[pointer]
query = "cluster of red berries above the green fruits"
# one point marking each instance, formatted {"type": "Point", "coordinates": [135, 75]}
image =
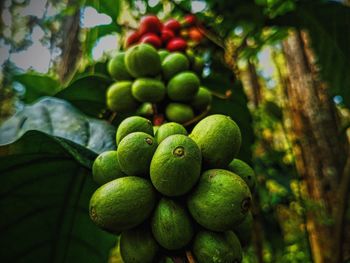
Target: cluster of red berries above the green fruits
{"type": "Point", "coordinates": [171, 35]}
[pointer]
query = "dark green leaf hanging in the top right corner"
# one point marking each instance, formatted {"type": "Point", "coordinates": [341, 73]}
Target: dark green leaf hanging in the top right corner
{"type": "Point", "coordinates": [328, 24]}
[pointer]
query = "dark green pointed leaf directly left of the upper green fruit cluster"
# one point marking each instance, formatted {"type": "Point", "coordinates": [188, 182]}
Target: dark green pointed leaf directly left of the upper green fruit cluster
{"type": "Point", "coordinates": [87, 93]}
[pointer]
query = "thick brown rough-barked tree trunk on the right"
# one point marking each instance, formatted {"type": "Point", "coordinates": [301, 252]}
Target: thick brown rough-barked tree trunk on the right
{"type": "Point", "coordinates": [319, 149]}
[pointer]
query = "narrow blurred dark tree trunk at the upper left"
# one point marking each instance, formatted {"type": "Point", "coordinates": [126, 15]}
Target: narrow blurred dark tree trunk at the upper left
{"type": "Point", "coordinates": [70, 44]}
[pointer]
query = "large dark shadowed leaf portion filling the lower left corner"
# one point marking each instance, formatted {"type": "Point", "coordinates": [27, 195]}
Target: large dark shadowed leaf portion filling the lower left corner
{"type": "Point", "coordinates": [45, 194]}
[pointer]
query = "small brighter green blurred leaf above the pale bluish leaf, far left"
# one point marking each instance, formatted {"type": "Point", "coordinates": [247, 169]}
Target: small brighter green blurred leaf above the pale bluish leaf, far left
{"type": "Point", "coordinates": [37, 86]}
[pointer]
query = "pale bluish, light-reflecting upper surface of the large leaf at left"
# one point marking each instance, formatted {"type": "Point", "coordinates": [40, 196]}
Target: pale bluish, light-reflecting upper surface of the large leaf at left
{"type": "Point", "coordinates": [59, 118]}
